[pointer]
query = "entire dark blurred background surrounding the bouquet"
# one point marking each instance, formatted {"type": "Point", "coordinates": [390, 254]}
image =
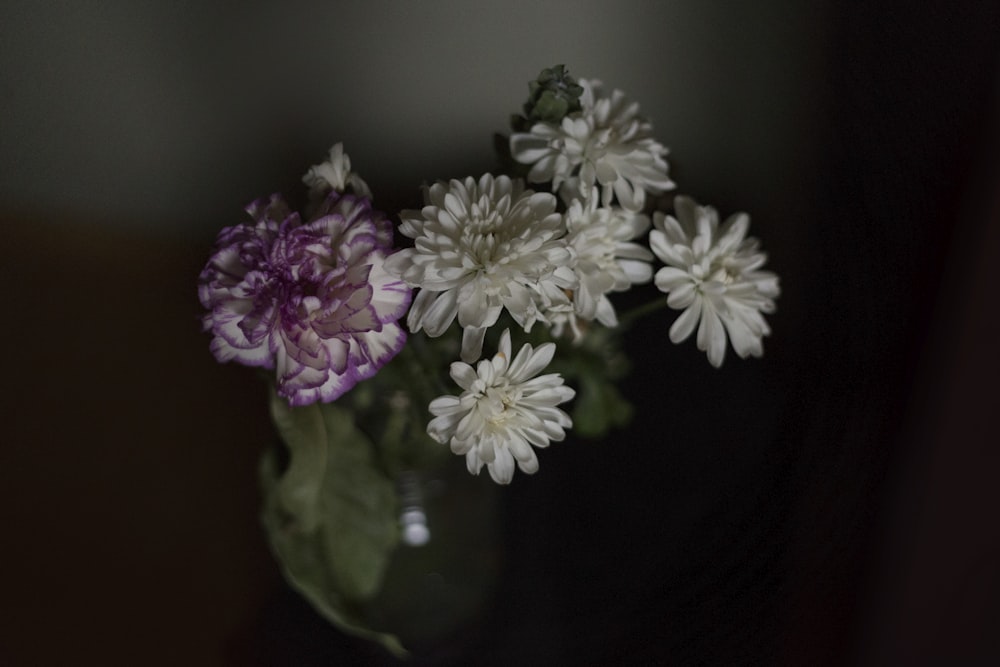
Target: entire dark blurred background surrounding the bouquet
{"type": "Point", "coordinates": [832, 503]}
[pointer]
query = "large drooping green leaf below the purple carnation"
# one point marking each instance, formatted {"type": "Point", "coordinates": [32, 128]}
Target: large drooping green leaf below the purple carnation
{"type": "Point", "coordinates": [331, 517]}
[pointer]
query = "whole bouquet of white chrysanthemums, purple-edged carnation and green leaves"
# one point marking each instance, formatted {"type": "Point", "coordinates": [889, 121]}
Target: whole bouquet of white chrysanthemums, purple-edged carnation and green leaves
{"type": "Point", "coordinates": [510, 338]}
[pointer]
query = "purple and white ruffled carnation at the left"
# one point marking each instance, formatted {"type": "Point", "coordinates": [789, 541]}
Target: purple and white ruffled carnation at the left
{"type": "Point", "coordinates": [311, 300]}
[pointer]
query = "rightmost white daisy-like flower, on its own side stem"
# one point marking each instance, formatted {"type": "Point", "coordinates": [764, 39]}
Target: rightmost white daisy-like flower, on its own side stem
{"type": "Point", "coordinates": [714, 275]}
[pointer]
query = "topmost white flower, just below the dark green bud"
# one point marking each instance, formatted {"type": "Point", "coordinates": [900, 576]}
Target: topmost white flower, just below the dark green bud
{"type": "Point", "coordinates": [607, 142]}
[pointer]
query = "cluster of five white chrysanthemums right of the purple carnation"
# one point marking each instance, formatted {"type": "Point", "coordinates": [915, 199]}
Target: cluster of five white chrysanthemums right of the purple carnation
{"type": "Point", "coordinates": [485, 246]}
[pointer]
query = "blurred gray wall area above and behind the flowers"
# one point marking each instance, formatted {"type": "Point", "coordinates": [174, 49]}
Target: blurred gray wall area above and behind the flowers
{"type": "Point", "coordinates": [167, 117]}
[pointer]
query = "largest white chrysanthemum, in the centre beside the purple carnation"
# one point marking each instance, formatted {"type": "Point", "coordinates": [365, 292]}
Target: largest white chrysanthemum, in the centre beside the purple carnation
{"type": "Point", "coordinates": [481, 247]}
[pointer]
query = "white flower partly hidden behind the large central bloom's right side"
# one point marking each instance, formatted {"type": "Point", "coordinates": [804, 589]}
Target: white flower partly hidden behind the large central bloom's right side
{"type": "Point", "coordinates": [607, 259]}
